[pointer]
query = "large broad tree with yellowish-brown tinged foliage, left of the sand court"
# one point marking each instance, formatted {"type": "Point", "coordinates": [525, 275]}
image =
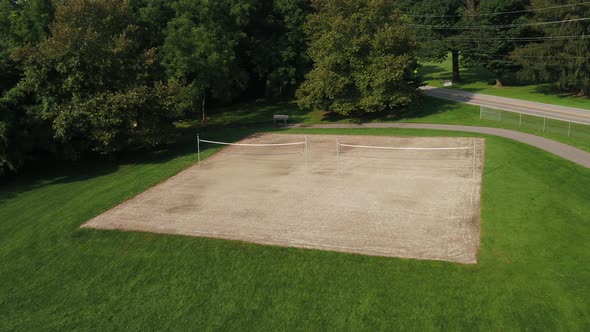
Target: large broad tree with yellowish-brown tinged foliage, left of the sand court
{"type": "Point", "coordinates": [93, 80]}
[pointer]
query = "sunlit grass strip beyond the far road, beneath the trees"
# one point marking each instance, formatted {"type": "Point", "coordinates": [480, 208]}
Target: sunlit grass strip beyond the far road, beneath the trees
{"type": "Point", "coordinates": [482, 81]}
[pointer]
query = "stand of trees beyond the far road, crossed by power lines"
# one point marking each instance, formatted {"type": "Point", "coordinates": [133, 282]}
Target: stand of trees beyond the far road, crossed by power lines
{"type": "Point", "coordinates": [541, 40]}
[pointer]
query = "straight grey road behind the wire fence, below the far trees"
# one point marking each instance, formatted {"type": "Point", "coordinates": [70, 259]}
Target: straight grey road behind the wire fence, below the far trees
{"type": "Point", "coordinates": [510, 104]}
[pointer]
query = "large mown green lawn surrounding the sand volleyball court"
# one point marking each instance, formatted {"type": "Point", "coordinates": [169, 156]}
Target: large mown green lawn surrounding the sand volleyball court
{"type": "Point", "coordinates": [532, 273]}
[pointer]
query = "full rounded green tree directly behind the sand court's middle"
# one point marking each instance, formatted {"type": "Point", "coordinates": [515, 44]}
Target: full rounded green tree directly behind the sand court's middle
{"type": "Point", "coordinates": [363, 58]}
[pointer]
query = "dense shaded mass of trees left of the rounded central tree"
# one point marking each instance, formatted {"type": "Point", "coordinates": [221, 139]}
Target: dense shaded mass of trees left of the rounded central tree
{"type": "Point", "coordinates": [83, 76]}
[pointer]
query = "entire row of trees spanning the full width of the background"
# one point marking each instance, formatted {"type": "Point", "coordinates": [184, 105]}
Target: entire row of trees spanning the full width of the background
{"type": "Point", "coordinates": [104, 76]}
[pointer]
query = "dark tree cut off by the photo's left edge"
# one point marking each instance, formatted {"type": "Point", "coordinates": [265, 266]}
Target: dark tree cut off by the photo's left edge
{"type": "Point", "coordinates": [21, 23]}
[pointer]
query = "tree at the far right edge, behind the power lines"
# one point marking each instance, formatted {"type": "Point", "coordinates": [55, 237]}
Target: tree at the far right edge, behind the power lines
{"type": "Point", "coordinates": [556, 58]}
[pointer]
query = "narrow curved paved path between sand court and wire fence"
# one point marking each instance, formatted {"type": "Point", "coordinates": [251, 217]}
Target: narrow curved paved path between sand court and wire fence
{"type": "Point", "coordinates": [576, 155]}
